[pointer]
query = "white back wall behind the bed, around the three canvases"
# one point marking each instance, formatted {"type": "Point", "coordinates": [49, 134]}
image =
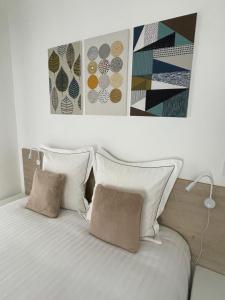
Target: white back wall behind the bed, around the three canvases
{"type": "Point", "coordinates": [199, 139]}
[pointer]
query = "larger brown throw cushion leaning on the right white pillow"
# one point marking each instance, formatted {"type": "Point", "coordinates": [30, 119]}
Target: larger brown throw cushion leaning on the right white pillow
{"type": "Point", "coordinates": [116, 217]}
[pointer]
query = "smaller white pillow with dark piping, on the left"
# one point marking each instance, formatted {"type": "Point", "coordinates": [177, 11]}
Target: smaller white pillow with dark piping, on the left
{"type": "Point", "coordinates": [76, 165]}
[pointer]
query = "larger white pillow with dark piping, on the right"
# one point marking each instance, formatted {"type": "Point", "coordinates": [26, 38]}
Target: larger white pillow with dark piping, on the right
{"type": "Point", "coordinates": [154, 180]}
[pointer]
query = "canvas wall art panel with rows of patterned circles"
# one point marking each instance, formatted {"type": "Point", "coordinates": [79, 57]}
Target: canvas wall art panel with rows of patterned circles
{"type": "Point", "coordinates": [106, 62]}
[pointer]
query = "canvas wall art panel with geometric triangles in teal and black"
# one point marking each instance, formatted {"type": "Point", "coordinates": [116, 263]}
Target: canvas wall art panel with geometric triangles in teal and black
{"type": "Point", "coordinates": [161, 69]}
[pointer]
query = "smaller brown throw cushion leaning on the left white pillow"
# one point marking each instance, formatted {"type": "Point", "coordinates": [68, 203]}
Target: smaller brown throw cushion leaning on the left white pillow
{"type": "Point", "coordinates": [46, 194]}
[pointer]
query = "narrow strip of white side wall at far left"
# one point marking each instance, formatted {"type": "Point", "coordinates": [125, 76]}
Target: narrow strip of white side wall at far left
{"type": "Point", "coordinates": [9, 168]}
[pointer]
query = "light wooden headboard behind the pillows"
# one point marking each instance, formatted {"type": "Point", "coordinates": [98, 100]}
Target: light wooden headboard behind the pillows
{"type": "Point", "coordinates": [184, 213]}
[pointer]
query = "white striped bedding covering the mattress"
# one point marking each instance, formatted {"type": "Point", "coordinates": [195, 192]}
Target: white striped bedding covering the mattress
{"type": "Point", "coordinates": [42, 258]}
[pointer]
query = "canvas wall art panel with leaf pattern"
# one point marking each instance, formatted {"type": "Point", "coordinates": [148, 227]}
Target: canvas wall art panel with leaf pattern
{"type": "Point", "coordinates": [65, 84]}
